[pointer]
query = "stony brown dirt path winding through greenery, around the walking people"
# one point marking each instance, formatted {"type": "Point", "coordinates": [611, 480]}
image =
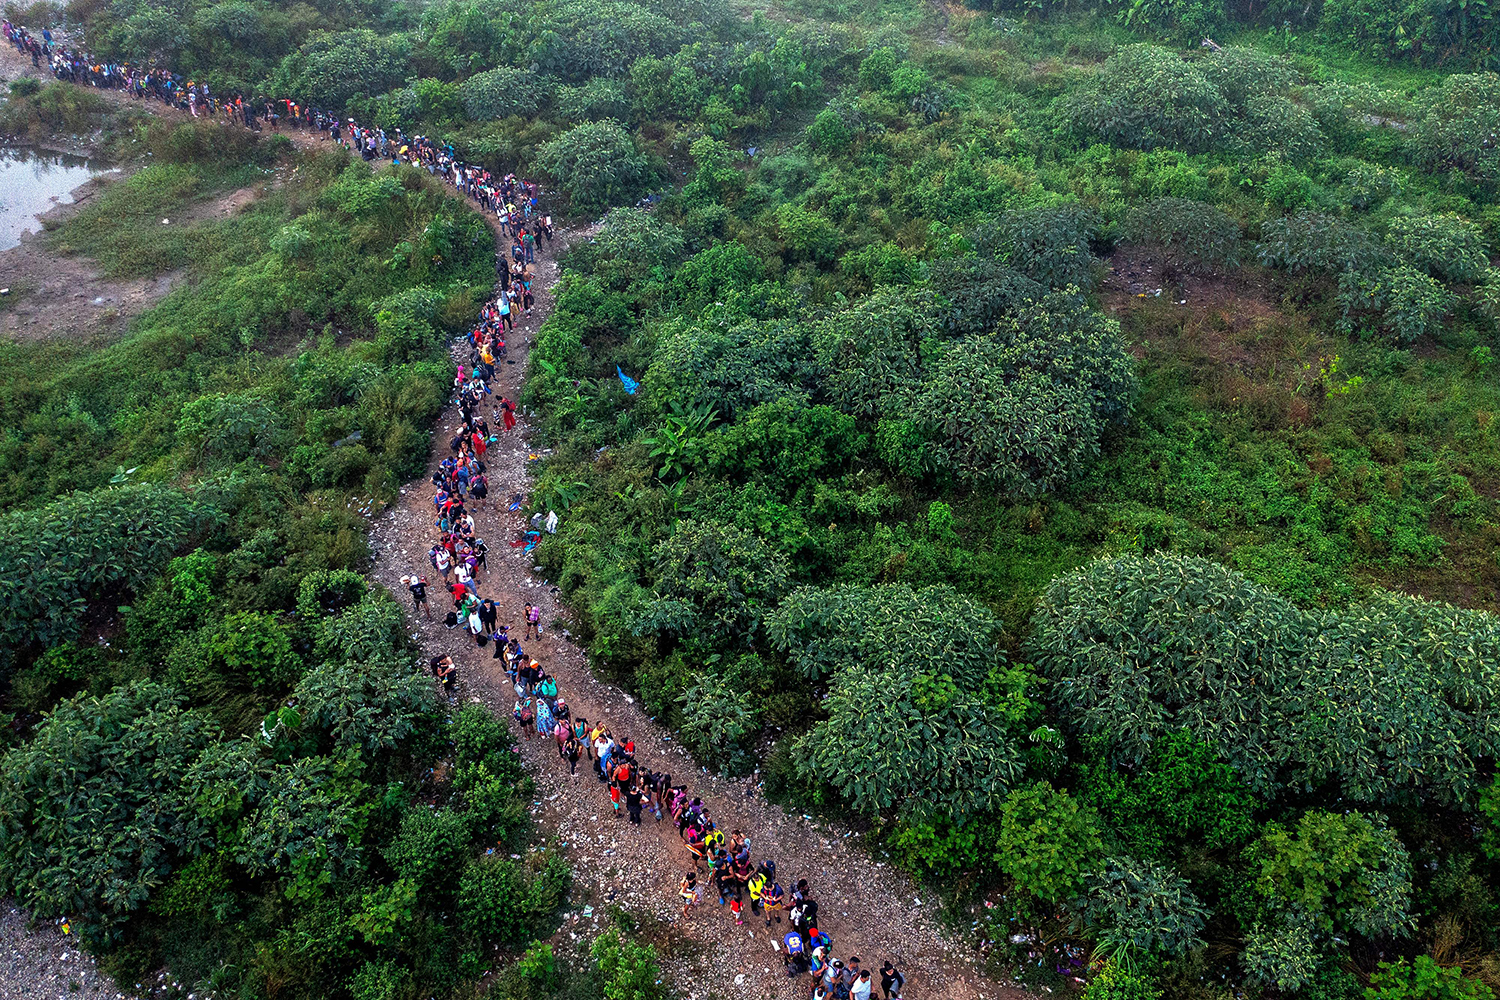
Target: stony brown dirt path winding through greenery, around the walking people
{"type": "Point", "coordinates": [866, 906]}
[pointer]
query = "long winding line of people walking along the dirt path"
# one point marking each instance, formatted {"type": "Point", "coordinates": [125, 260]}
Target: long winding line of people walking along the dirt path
{"type": "Point", "coordinates": [722, 864]}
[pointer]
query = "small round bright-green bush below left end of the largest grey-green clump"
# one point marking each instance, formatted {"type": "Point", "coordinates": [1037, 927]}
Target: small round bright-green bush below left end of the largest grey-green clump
{"type": "Point", "coordinates": [1046, 842]}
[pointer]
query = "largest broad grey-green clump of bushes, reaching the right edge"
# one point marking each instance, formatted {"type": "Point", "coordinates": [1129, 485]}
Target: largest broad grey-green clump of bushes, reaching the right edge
{"type": "Point", "coordinates": [1139, 648]}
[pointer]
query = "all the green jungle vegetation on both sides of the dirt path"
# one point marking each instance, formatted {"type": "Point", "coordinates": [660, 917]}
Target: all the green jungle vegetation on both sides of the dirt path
{"type": "Point", "coordinates": [1163, 623]}
